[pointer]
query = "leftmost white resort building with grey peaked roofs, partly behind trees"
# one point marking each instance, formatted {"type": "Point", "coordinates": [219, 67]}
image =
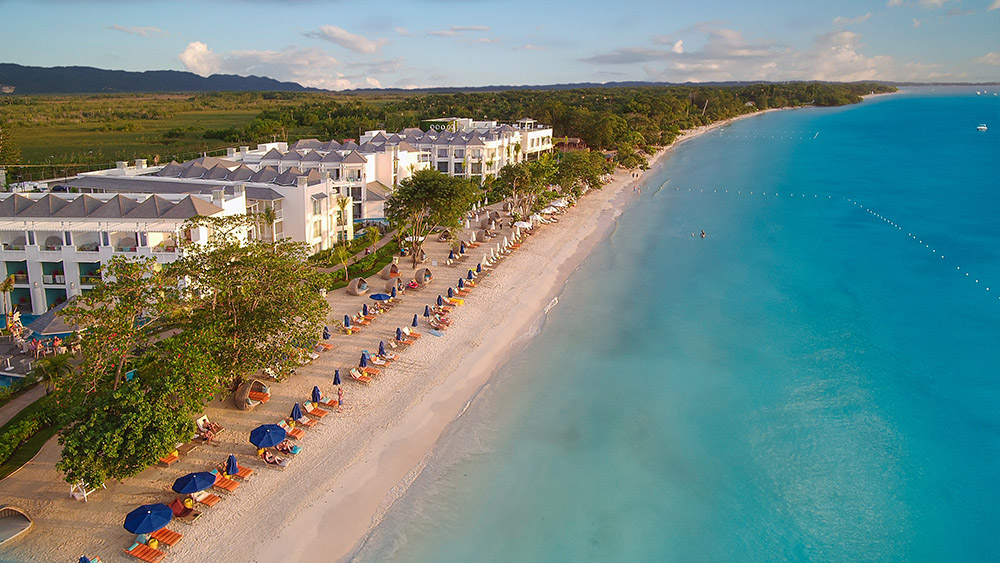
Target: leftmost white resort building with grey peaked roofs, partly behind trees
{"type": "Point", "coordinates": [54, 243]}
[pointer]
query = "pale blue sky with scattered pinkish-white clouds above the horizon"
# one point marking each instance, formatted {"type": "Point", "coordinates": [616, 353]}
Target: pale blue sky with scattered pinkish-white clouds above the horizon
{"type": "Point", "coordinates": [344, 44]}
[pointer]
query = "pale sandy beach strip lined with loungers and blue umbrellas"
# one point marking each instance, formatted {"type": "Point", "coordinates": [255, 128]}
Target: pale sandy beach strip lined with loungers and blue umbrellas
{"type": "Point", "coordinates": [363, 456]}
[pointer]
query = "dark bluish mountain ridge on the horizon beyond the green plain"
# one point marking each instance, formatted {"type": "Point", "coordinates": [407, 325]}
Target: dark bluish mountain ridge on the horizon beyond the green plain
{"type": "Point", "coordinates": [89, 80]}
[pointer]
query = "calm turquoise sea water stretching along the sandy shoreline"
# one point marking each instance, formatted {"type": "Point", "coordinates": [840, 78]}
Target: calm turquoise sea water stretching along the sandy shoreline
{"type": "Point", "coordinates": [814, 380]}
